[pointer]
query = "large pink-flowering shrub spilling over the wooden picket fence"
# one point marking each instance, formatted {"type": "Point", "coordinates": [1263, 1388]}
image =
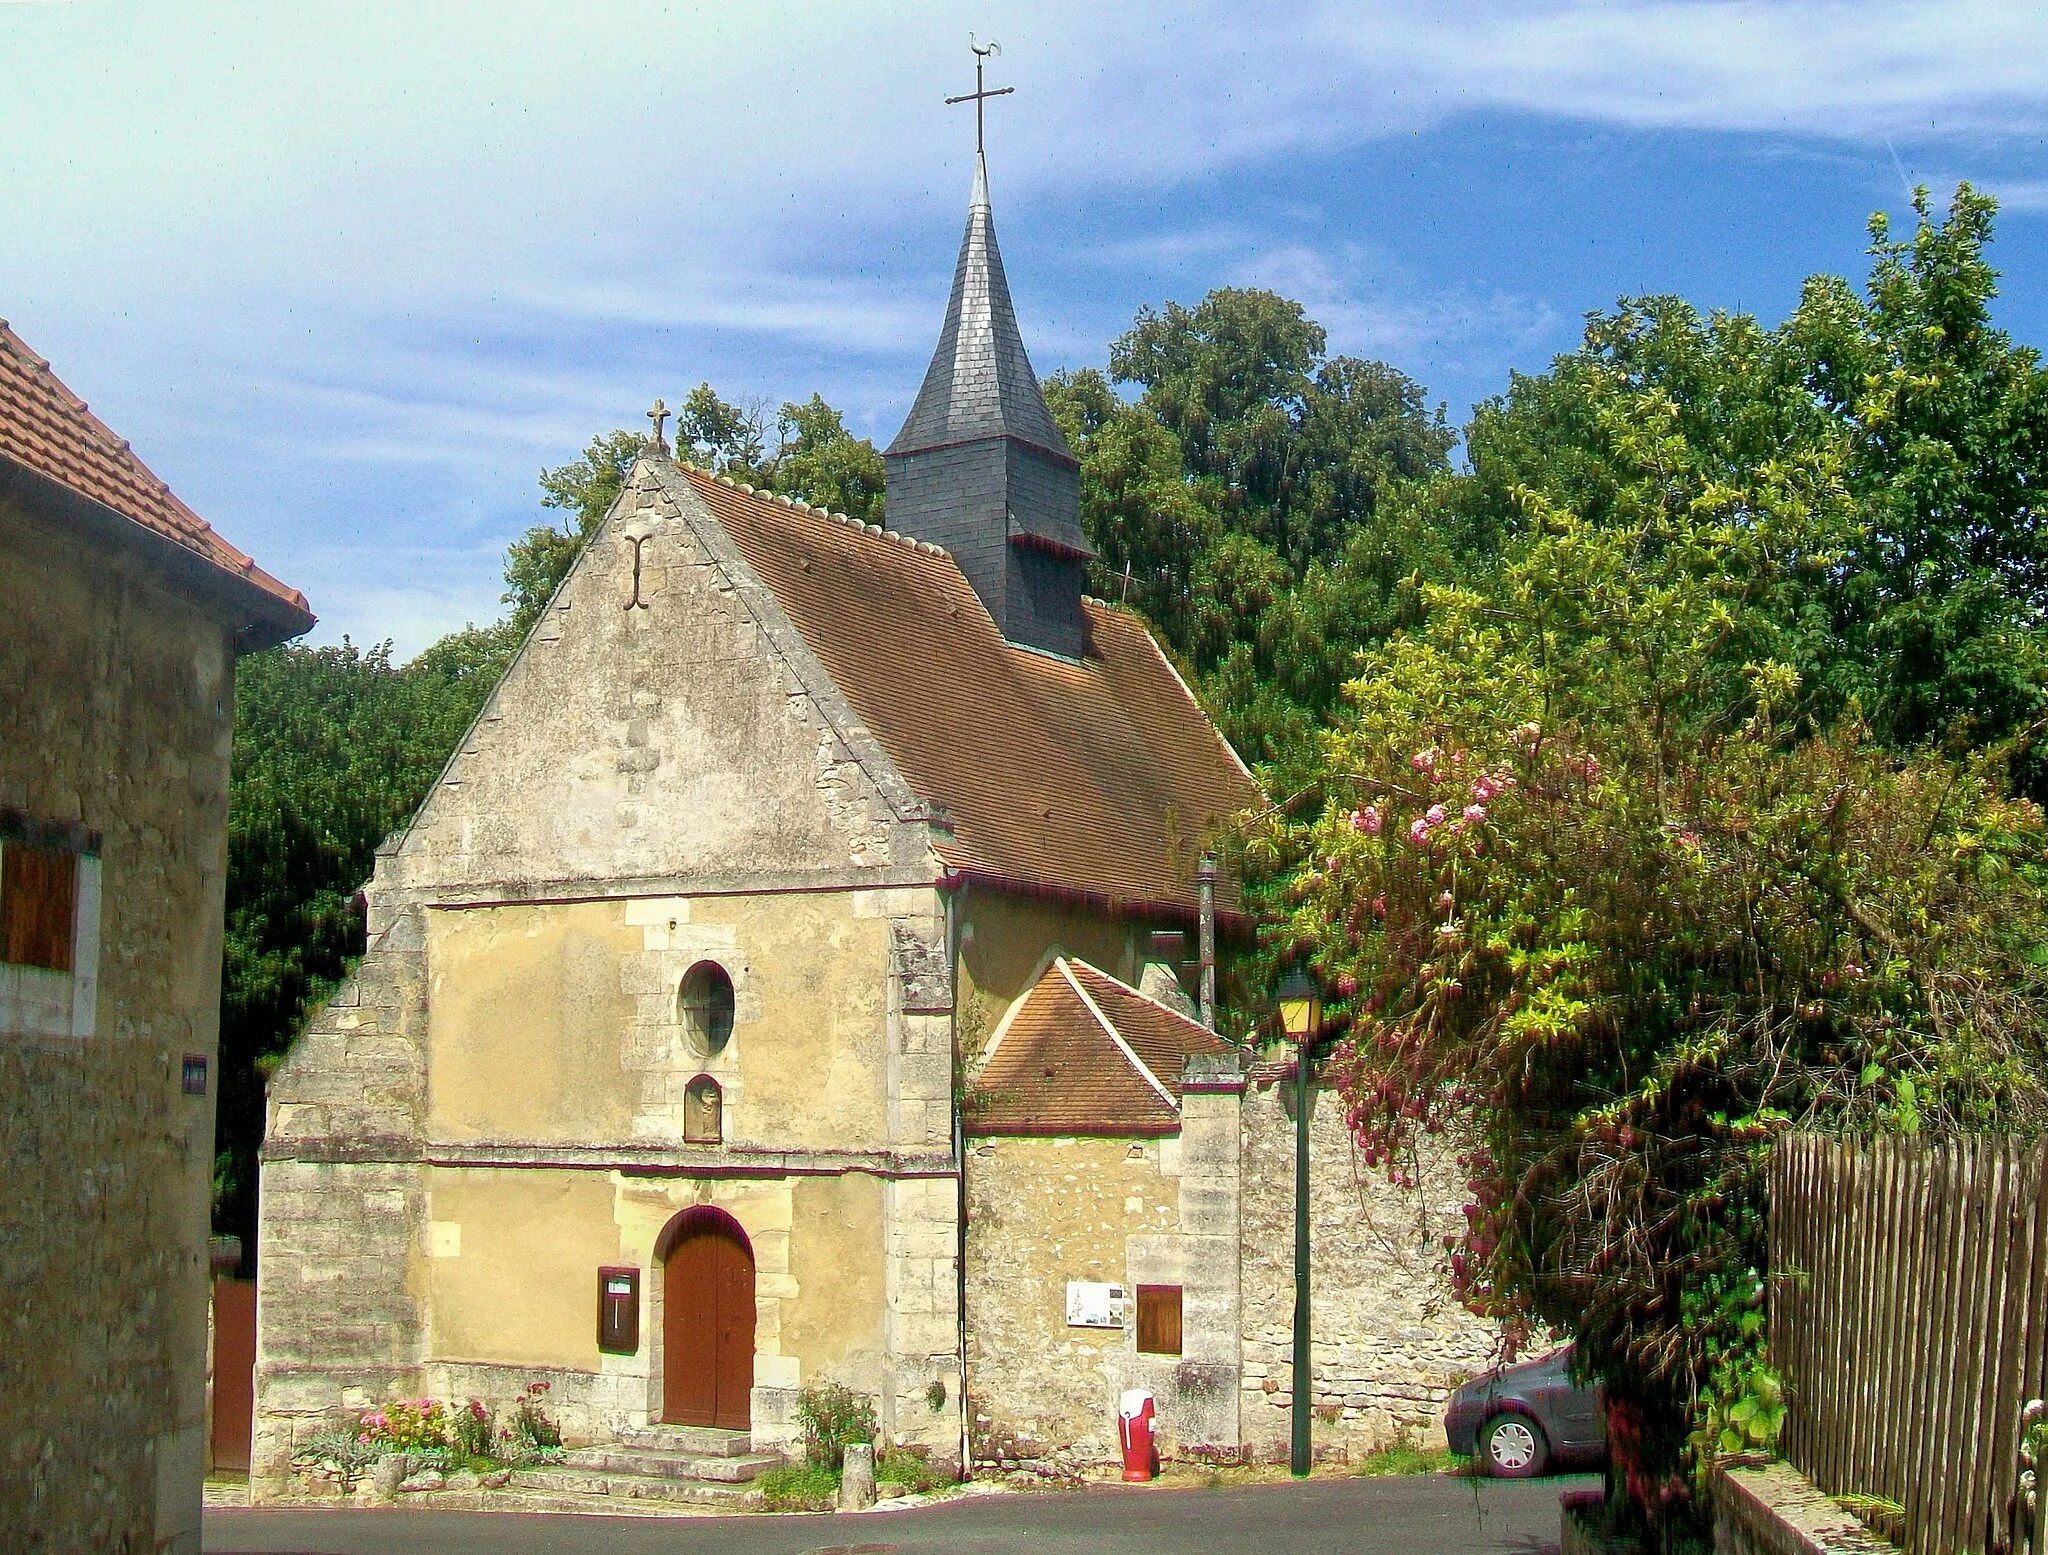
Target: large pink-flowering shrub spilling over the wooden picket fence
{"type": "Point", "coordinates": [1619, 919]}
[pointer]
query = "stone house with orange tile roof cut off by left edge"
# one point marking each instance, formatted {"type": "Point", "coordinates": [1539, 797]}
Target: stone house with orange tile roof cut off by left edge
{"type": "Point", "coordinates": [118, 661]}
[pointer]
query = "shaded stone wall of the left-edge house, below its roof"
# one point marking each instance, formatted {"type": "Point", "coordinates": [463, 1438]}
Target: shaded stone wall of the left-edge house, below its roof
{"type": "Point", "coordinates": [116, 718]}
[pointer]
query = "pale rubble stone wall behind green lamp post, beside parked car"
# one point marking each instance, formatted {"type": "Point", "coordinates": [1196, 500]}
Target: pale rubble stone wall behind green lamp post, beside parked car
{"type": "Point", "coordinates": [1390, 1343]}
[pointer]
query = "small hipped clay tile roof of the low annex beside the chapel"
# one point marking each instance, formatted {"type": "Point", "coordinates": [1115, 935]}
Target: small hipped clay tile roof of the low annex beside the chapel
{"type": "Point", "coordinates": [1084, 1054]}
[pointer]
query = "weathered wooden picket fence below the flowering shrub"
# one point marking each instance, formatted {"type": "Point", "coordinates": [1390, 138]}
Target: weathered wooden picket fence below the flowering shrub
{"type": "Point", "coordinates": [1910, 1320]}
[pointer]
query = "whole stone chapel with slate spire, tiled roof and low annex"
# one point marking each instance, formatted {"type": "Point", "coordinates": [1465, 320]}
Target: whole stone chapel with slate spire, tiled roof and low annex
{"type": "Point", "coordinates": [771, 993]}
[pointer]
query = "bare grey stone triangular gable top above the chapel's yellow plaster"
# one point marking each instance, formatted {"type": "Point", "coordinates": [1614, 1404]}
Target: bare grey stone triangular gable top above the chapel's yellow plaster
{"type": "Point", "coordinates": [663, 743]}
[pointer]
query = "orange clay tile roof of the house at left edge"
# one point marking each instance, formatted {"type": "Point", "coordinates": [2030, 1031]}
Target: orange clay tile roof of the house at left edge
{"type": "Point", "coordinates": [48, 431]}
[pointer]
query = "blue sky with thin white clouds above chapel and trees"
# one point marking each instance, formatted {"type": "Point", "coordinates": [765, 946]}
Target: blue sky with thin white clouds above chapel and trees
{"type": "Point", "coordinates": [351, 276]}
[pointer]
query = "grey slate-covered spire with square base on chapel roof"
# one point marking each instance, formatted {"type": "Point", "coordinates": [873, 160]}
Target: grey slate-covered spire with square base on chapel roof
{"type": "Point", "coordinates": [980, 464]}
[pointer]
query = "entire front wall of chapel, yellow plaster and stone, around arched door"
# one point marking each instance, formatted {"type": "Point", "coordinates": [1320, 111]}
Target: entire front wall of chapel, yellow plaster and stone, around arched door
{"type": "Point", "coordinates": [499, 1095]}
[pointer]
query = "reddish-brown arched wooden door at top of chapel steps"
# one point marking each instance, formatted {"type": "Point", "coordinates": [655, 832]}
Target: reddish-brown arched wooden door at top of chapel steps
{"type": "Point", "coordinates": [708, 1322]}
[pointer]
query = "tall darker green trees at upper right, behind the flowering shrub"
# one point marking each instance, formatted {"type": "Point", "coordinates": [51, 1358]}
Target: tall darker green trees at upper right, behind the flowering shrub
{"type": "Point", "coordinates": [1928, 610]}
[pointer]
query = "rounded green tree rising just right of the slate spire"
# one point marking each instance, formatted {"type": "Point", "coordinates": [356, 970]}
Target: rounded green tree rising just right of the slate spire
{"type": "Point", "coordinates": [1256, 501]}
